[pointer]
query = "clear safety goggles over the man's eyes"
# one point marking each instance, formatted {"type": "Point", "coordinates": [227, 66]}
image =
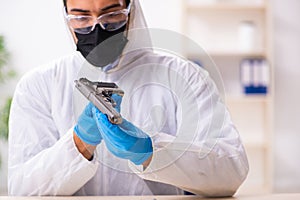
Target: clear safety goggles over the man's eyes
{"type": "Point", "coordinates": [109, 21]}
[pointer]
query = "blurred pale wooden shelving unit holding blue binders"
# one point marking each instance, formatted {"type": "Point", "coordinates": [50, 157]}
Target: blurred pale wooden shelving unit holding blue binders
{"type": "Point", "coordinates": [216, 26]}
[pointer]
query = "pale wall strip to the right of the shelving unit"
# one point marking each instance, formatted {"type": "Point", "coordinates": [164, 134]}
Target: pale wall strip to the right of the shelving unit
{"type": "Point", "coordinates": [287, 97]}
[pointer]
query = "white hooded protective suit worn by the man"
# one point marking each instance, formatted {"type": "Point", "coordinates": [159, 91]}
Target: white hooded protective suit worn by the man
{"type": "Point", "coordinates": [196, 146]}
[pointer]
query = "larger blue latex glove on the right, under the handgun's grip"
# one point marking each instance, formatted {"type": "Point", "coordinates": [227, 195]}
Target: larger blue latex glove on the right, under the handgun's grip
{"type": "Point", "coordinates": [124, 140]}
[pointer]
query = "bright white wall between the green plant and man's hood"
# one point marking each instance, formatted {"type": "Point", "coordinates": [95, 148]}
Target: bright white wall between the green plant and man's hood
{"type": "Point", "coordinates": [34, 32]}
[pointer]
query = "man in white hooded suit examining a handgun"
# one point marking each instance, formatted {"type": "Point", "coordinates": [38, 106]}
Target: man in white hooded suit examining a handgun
{"type": "Point", "coordinates": [176, 133]}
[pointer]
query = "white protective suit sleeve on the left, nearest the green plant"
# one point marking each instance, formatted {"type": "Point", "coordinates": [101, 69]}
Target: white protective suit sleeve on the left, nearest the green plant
{"type": "Point", "coordinates": [41, 161]}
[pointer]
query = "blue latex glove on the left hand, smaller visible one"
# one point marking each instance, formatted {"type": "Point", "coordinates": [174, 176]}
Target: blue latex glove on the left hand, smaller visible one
{"type": "Point", "coordinates": [86, 128]}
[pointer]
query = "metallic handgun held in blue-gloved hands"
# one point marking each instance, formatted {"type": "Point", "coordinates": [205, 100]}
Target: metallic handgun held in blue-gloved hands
{"type": "Point", "coordinates": [99, 93]}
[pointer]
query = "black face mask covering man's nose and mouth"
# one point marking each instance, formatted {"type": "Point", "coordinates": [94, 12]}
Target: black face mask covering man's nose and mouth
{"type": "Point", "coordinates": [101, 47]}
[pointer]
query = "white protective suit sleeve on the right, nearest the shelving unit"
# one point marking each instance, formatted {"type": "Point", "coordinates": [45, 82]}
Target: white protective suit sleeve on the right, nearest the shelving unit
{"type": "Point", "coordinates": [205, 156]}
